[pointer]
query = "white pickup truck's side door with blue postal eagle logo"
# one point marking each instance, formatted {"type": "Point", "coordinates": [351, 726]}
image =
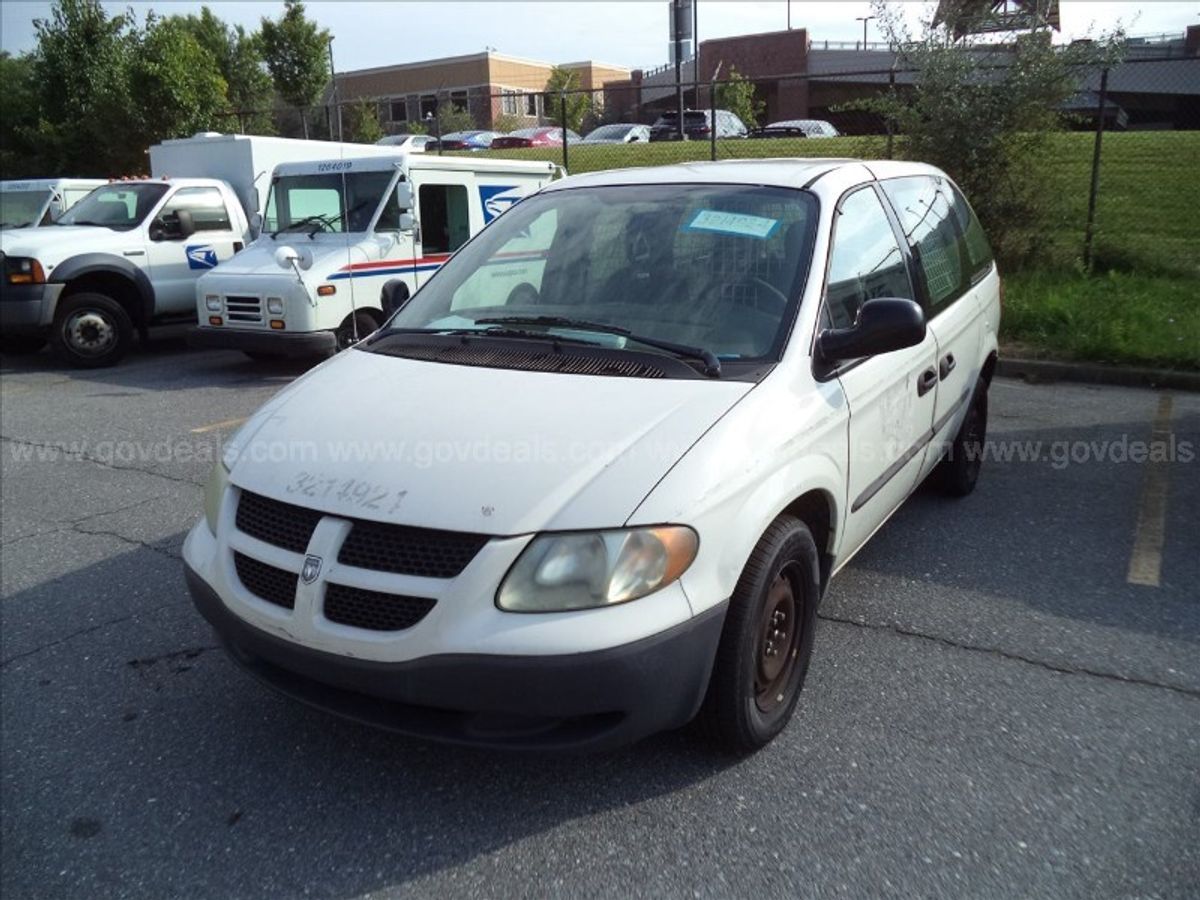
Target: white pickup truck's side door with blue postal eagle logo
{"type": "Point", "coordinates": [177, 260]}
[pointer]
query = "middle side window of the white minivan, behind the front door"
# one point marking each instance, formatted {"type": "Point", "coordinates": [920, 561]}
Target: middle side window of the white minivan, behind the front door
{"type": "Point", "coordinates": [923, 206]}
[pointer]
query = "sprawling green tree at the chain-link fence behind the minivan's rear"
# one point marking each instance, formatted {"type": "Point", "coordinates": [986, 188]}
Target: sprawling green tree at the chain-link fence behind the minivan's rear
{"type": "Point", "coordinates": [989, 128]}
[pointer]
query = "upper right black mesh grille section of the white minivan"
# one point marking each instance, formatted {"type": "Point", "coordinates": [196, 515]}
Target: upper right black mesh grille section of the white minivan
{"type": "Point", "coordinates": [424, 553]}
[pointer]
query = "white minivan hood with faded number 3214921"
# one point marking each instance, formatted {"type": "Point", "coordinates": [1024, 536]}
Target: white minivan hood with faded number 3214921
{"type": "Point", "coordinates": [472, 449]}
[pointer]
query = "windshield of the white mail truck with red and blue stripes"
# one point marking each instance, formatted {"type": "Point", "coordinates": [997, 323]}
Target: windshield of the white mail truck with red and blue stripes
{"type": "Point", "coordinates": [327, 202]}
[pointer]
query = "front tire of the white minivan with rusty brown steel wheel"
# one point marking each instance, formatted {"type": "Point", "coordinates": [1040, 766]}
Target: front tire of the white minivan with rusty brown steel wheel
{"type": "Point", "coordinates": [759, 671]}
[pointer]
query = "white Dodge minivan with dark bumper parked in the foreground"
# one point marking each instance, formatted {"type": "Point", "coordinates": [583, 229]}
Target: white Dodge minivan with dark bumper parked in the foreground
{"type": "Point", "coordinates": [596, 476]}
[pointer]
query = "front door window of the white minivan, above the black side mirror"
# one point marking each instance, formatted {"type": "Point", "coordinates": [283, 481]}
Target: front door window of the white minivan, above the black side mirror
{"type": "Point", "coordinates": [866, 261]}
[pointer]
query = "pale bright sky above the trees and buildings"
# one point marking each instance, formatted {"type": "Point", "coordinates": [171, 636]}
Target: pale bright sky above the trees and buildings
{"type": "Point", "coordinates": [627, 33]}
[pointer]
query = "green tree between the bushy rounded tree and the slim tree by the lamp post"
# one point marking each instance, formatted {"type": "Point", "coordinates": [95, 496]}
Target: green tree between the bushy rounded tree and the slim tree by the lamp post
{"type": "Point", "coordinates": [250, 93]}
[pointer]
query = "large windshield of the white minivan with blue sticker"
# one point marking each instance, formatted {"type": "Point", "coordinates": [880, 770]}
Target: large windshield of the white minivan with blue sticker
{"type": "Point", "coordinates": [713, 267]}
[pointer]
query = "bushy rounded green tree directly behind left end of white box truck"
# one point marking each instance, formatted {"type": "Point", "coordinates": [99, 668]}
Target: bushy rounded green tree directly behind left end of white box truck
{"type": "Point", "coordinates": [177, 88]}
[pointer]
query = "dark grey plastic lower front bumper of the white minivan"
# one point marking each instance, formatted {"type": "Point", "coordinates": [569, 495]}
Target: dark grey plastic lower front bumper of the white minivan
{"type": "Point", "coordinates": [579, 703]}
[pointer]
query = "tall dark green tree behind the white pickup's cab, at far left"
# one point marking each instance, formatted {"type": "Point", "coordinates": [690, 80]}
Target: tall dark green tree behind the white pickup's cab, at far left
{"type": "Point", "coordinates": [81, 73]}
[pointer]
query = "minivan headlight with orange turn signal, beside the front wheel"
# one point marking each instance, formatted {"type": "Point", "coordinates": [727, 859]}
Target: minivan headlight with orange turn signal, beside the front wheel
{"type": "Point", "coordinates": [585, 571]}
